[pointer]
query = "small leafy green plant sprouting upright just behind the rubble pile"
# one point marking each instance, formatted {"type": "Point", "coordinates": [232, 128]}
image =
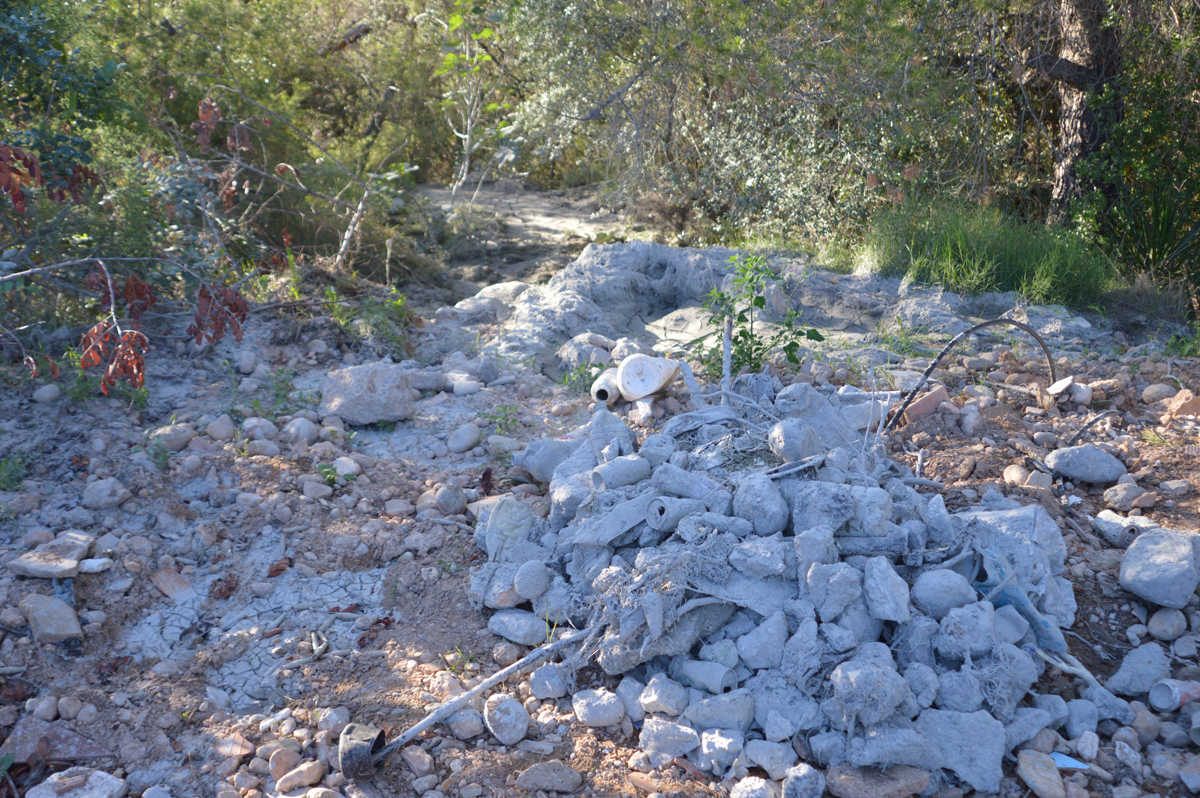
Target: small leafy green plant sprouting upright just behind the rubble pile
{"type": "Point", "coordinates": [742, 305]}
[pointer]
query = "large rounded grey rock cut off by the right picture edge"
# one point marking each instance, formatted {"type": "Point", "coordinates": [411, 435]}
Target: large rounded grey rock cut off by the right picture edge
{"type": "Point", "coordinates": [1161, 567]}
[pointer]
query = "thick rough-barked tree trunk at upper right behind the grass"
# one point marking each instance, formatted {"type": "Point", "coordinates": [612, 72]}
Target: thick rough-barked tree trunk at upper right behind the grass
{"type": "Point", "coordinates": [1089, 58]}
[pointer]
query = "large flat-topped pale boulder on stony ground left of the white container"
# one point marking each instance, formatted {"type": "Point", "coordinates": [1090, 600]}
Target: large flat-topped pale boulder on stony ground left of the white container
{"type": "Point", "coordinates": [369, 394]}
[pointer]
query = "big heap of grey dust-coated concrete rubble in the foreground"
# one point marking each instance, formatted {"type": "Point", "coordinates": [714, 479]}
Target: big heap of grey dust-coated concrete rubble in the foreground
{"type": "Point", "coordinates": [770, 585]}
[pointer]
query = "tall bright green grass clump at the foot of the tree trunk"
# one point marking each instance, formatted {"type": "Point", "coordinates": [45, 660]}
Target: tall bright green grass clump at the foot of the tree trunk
{"type": "Point", "coordinates": [975, 249]}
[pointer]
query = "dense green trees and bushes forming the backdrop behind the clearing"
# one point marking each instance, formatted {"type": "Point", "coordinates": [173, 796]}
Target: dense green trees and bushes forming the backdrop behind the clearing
{"type": "Point", "coordinates": [219, 131]}
